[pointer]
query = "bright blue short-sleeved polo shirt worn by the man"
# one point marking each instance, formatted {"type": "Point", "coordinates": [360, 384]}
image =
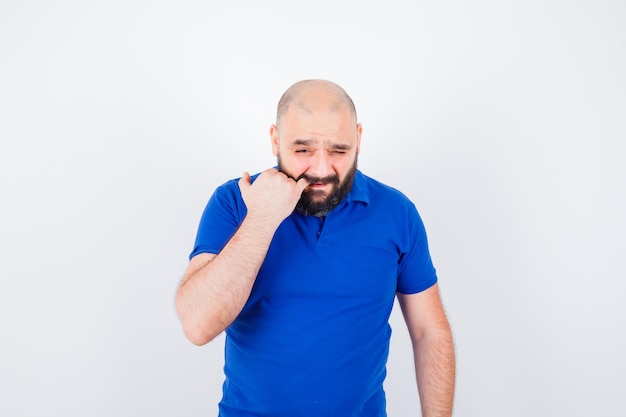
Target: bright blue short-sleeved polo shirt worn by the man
{"type": "Point", "coordinates": [313, 338]}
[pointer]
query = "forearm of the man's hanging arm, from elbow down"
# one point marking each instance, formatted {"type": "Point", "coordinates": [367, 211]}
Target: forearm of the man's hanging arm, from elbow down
{"type": "Point", "coordinates": [435, 369]}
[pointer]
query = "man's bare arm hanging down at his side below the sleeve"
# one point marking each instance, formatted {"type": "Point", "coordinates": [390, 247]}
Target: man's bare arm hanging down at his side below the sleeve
{"type": "Point", "coordinates": [433, 350]}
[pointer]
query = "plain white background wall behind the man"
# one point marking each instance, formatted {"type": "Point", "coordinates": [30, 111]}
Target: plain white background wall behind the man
{"type": "Point", "coordinates": [505, 122]}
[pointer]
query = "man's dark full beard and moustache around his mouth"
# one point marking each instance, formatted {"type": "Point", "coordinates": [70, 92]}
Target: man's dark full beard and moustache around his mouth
{"type": "Point", "coordinates": [318, 203]}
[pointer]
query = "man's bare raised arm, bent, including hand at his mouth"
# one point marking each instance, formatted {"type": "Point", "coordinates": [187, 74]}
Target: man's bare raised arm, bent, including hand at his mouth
{"type": "Point", "coordinates": [216, 287]}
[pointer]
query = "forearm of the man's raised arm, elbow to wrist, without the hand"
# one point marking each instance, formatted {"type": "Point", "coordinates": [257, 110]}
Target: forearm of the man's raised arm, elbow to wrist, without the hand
{"type": "Point", "coordinates": [211, 297]}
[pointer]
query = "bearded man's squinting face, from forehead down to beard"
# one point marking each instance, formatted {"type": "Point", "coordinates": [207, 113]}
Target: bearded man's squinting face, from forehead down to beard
{"type": "Point", "coordinates": [321, 146]}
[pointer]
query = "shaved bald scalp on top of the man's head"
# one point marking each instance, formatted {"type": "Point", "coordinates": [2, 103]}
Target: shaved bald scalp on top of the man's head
{"type": "Point", "coordinates": [313, 96]}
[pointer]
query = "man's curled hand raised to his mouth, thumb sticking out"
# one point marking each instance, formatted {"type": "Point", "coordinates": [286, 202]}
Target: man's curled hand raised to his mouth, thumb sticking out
{"type": "Point", "coordinates": [273, 195]}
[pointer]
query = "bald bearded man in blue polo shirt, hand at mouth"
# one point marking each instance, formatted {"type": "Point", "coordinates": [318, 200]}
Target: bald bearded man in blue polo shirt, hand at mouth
{"type": "Point", "coordinates": [300, 266]}
